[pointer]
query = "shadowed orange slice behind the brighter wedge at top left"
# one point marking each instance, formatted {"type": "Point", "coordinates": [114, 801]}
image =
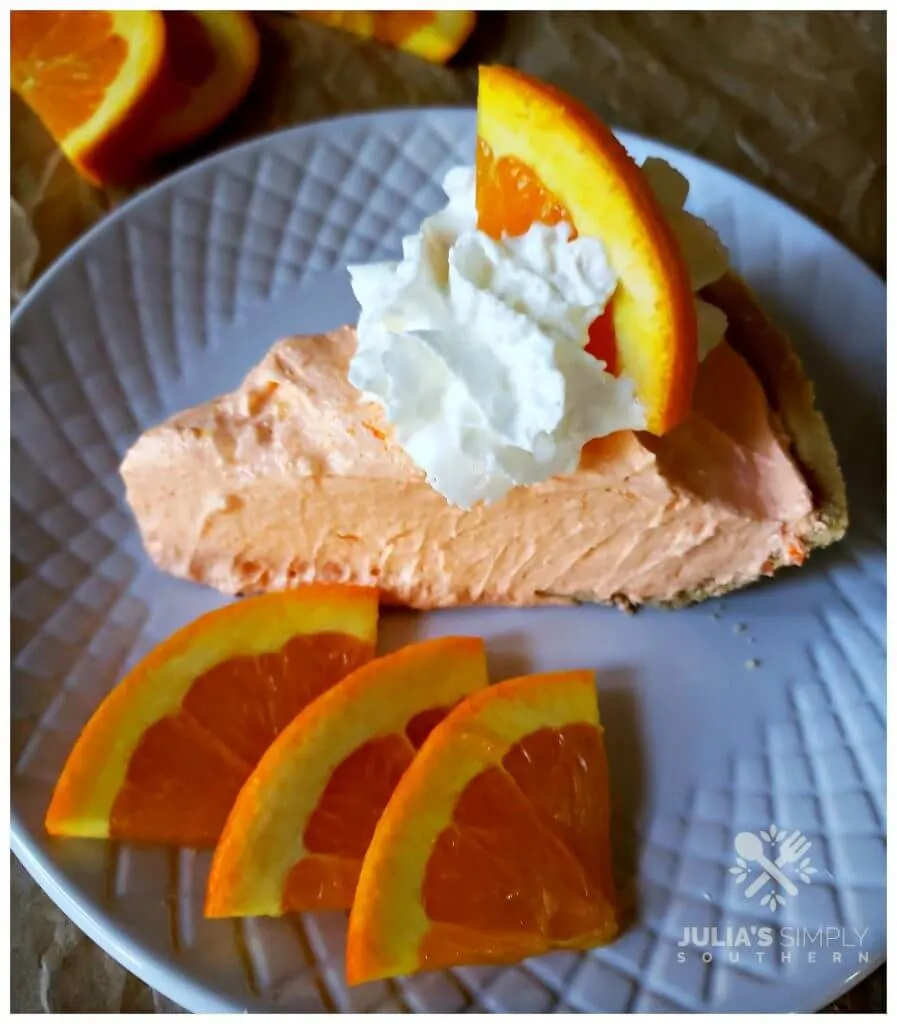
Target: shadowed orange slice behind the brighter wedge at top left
{"type": "Point", "coordinates": [211, 58]}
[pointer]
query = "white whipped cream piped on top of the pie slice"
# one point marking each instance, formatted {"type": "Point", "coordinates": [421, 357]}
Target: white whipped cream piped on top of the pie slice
{"type": "Point", "coordinates": [476, 349]}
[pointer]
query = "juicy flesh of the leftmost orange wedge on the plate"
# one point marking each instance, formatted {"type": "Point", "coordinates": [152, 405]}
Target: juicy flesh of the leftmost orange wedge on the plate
{"type": "Point", "coordinates": [185, 776]}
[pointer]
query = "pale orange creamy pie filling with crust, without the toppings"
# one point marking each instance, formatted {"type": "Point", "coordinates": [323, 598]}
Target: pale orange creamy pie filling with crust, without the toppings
{"type": "Point", "coordinates": [295, 478]}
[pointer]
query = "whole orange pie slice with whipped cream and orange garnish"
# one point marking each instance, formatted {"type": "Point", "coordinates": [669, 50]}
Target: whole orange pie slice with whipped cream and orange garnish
{"type": "Point", "coordinates": [561, 394]}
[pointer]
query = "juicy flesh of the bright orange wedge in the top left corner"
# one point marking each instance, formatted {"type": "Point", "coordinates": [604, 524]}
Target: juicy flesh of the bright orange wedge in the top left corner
{"type": "Point", "coordinates": [63, 63]}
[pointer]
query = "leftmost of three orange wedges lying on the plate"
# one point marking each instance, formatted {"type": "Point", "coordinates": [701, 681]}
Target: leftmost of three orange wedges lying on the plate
{"type": "Point", "coordinates": [165, 755]}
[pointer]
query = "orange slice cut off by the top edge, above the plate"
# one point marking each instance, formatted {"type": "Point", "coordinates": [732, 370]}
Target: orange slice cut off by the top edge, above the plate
{"type": "Point", "coordinates": [435, 35]}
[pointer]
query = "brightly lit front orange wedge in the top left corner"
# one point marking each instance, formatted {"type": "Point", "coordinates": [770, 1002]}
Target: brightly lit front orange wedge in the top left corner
{"type": "Point", "coordinates": [86, 74]}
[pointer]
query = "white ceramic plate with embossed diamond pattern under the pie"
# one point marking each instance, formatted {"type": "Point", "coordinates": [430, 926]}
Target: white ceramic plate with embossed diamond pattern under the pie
{"type": "Point", "coordinates": [767, 709]}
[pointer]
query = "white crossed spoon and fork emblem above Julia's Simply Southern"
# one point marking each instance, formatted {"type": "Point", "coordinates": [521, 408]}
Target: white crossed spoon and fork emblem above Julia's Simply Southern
{"type": "Point", "coordinates": [781, 861]}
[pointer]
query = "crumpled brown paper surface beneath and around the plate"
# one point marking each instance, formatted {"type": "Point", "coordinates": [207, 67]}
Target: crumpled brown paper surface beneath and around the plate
{"type": "Point", "coordinates": [792, 102]}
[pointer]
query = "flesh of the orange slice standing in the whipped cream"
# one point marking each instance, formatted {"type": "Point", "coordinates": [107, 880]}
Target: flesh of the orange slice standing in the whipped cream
{"type": "Point", "coordinates": [510, 198]}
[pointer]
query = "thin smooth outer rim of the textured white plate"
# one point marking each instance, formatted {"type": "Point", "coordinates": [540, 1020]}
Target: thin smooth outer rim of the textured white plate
{"type": "Point", "coordinates": [162, 974]}
